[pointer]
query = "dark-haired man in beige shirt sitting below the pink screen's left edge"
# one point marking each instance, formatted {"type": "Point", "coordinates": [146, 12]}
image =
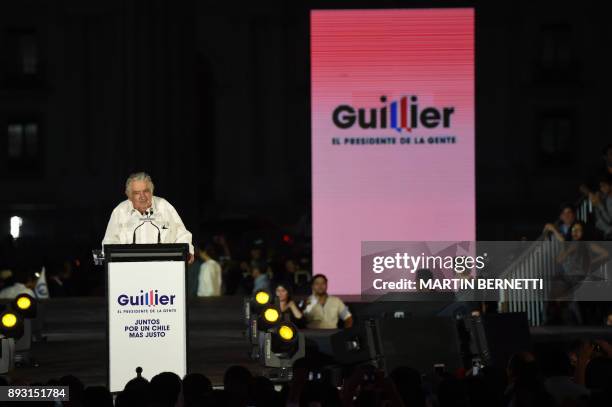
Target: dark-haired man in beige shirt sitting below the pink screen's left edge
{"type": "Point", "coordinates": [324, 311]}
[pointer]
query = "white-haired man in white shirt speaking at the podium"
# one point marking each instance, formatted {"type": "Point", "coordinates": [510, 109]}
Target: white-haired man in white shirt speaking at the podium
{"type": "Point", "coordinates": [144, 218]}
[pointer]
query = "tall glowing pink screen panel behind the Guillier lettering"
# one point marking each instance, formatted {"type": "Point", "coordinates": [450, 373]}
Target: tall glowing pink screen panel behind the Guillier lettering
{"type": "Point", "coordinates": [389, 192]}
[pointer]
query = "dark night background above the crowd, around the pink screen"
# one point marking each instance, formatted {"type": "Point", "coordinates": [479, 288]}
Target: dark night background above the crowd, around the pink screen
{"type": "Point", "coordinates": [213, 100]}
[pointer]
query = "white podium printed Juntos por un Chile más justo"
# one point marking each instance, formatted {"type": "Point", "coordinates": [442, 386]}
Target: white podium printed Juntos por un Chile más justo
{"type": "Point", "coordinates": [147, 310]}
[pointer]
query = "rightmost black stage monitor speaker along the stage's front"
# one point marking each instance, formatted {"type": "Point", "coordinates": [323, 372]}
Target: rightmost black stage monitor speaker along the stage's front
{"type": "Point", "coordinates": [496, 337]}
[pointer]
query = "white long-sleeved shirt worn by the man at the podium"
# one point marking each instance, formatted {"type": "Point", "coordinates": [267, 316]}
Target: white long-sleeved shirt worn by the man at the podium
{"type": "Point", "coordinates": [125, 219]}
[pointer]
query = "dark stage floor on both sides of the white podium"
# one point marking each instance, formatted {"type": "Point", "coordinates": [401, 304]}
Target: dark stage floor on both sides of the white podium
{"type": "Point", "coordinates": [75, 331]}
